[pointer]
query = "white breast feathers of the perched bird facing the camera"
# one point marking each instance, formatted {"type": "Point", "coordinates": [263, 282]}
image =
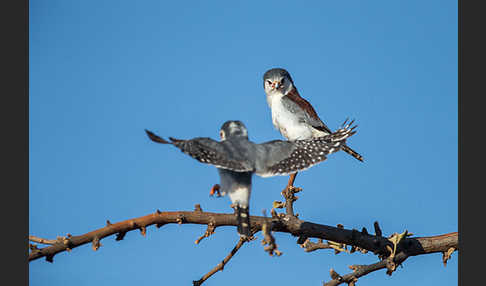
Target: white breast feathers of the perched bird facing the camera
{"type": "Point", "coordinates": [288, 123]}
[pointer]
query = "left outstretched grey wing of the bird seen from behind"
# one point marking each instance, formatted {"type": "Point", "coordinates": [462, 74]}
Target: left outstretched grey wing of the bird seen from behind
{"type": "Point", "coordinates": [208, 151]}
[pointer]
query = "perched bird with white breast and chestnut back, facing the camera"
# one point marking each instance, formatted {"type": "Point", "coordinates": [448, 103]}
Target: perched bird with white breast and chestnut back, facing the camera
{"type": "Point", "coordinates": [293, 116]}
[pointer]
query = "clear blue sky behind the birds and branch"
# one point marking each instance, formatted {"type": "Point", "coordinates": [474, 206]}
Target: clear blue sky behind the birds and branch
{"type": "Point", "coordinates": [102, 71]}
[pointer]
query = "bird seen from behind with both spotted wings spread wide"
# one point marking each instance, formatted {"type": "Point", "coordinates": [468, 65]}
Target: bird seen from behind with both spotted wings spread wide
{"type": "Point", "coordinates": [237, 159]}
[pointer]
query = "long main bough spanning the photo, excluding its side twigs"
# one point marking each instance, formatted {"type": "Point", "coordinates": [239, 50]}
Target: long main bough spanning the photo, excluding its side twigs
{"type": "Point", "coordinates": [284, 223]}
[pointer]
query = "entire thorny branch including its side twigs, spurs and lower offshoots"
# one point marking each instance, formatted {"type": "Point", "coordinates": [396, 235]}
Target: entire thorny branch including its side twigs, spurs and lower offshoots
{"type": "Point", "coordinates": [392, 251]}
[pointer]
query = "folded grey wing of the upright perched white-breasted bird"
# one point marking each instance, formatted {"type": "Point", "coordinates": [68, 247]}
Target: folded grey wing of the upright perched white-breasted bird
{"type": "Point", "coordinates": [309, 117]}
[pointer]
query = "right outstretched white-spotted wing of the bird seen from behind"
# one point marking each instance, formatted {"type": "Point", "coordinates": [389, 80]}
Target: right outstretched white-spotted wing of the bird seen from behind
{"type": "Point", "coordinates": [287, 157]}
